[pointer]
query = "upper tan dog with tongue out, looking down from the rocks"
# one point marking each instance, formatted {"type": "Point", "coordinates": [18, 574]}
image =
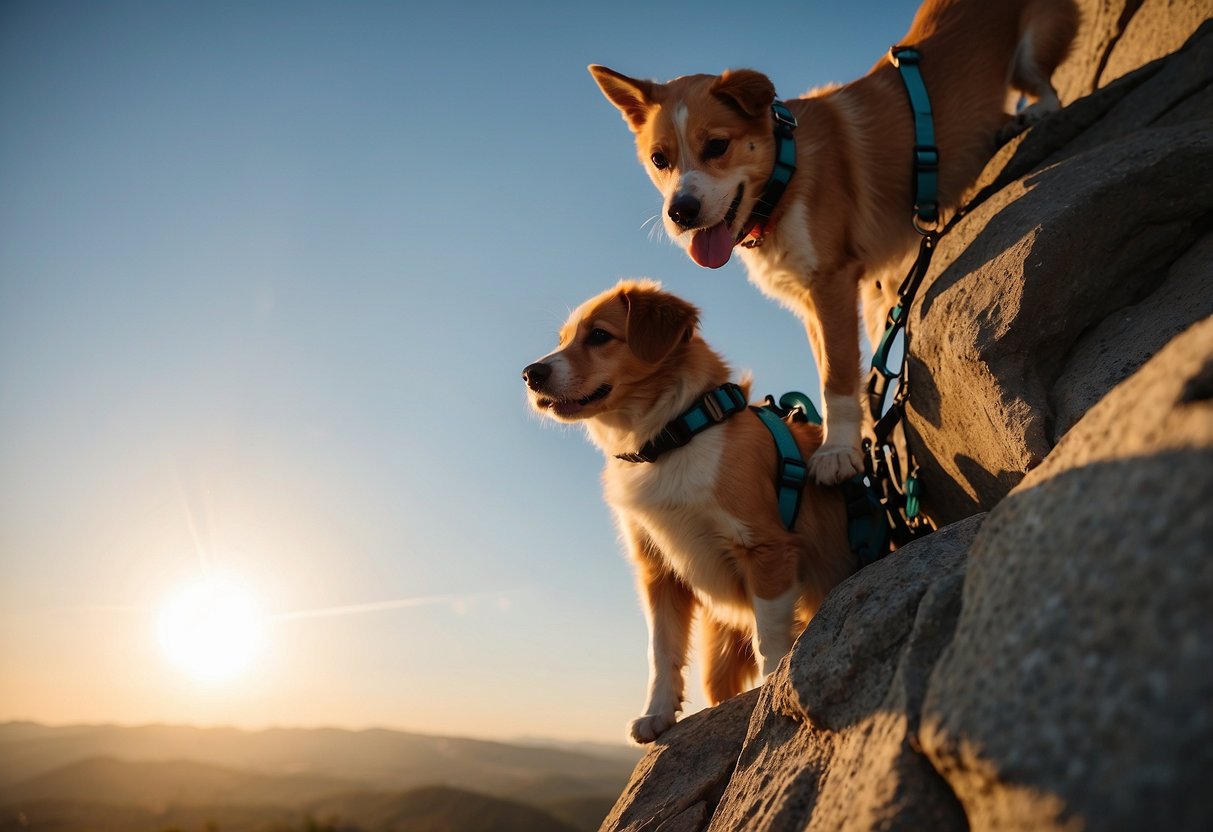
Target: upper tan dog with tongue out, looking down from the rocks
{"type": "Point", "coordinates": [842, 224]}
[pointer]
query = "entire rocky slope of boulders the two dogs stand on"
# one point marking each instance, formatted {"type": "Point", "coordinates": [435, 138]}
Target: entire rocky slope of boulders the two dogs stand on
{"type": "Point", "coordinates": [1046, 660]}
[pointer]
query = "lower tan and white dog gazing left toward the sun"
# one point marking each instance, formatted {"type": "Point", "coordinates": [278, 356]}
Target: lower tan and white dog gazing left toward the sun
{"type": "Point", "coordinates": [699, 514]}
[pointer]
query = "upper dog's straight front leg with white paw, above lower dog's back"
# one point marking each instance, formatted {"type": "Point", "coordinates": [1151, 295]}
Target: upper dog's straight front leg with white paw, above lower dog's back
{"type": "Point", "coordinates": [835, 335]}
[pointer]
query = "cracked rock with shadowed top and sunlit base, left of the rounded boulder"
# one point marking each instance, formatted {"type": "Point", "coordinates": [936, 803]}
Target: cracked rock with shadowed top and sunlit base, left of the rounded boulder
{"type": "Point", "coordinates": [833, 744]}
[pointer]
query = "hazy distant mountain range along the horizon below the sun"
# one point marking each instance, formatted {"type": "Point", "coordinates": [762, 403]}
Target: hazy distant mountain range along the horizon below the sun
{"type": "Point", "coordinates": [156, 778]}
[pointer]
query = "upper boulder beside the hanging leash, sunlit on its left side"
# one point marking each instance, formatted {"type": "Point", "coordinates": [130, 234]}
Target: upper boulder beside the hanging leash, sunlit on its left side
{"type": "Point", "coordinates": [1087, 248]}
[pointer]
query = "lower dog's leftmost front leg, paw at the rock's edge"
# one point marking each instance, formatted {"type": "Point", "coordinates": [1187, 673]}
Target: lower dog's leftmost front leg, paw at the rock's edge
{"type": "Point", "coordinates": [670, 607]}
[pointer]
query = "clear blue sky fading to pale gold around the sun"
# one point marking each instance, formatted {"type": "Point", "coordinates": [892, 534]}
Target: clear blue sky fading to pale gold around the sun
{"type": "Point", "coordinates": [269, 276]}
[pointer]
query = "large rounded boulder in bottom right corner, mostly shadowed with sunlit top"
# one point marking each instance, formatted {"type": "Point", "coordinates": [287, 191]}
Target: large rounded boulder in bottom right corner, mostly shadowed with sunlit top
{"type": "Point", "coordinates": [1080, 681]}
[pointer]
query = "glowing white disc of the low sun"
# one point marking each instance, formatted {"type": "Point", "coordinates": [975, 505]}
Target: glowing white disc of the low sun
{"type": "Point", "coordinates": [212, 629]}
